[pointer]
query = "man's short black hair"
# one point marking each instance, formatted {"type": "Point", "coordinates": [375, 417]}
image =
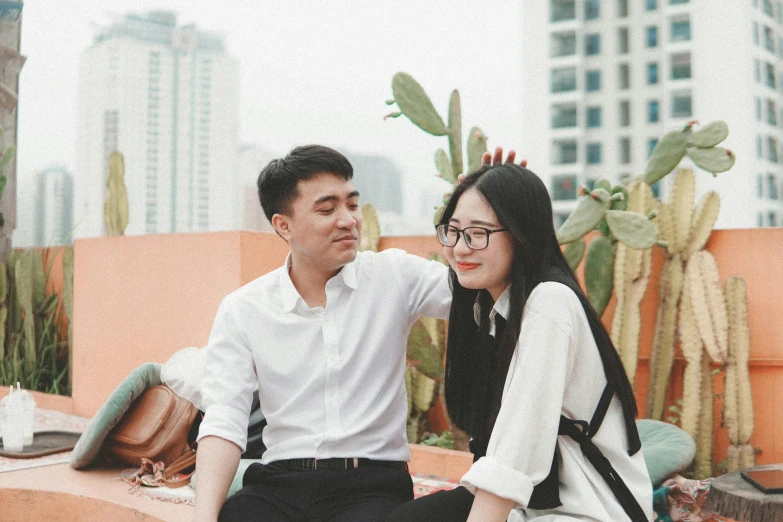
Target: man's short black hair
{"type": "Point", "coordinates": [277, 183]}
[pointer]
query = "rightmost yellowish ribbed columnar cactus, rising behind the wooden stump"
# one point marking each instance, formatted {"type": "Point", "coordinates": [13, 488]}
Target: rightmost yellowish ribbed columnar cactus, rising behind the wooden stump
{"type": "Point", "coordinates": [738, 401]}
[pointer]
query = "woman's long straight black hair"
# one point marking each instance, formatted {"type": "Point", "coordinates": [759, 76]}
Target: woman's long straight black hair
{"type": "Point", "coordinates": [523, 207]}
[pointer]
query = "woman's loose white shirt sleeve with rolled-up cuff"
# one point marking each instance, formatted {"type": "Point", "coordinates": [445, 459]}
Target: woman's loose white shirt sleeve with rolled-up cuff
{"type": "Point", "coordinates": [523, 440]}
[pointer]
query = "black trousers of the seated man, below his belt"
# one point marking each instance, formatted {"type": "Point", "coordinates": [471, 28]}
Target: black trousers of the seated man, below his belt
{"type": "Point", "coordinates": [275, 494]}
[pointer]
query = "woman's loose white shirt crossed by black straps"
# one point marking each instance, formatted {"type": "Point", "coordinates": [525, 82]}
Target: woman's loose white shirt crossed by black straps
{"type": "Point", "coordinates": [556, 369]}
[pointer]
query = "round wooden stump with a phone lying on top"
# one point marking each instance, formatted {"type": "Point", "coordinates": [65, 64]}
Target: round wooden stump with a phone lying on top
{"type": "Point", "coordinates": [734, 497]}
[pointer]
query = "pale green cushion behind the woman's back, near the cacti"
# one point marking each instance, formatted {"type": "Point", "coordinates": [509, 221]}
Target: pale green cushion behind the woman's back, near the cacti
{"type": "Point", "coordinates": [667, 448]}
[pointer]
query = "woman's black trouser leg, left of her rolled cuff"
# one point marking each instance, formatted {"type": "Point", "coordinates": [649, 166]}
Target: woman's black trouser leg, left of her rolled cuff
{"type": "Point", "coordinates": [443, 506]}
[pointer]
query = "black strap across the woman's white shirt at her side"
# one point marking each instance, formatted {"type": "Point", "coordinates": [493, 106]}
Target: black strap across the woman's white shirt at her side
{"type": "Point", "coordinates": [583, 434]}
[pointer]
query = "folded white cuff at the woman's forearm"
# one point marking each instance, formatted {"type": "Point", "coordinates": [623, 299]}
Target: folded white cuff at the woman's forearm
{"type": "Point", "coordinates": [489, 475]}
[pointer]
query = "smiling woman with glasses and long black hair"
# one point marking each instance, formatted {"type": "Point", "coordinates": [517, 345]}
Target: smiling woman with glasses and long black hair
{"type": "Point", "coordinates": [531, 374]}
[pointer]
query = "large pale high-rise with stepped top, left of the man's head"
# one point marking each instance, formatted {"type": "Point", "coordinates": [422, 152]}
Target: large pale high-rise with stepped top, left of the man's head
{"type": "Point", "coordinates": [166, 97]}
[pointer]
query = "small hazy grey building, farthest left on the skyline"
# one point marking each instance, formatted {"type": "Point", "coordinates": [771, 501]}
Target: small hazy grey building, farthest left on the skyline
{"type": "Point", "coordinates": [53, 207]}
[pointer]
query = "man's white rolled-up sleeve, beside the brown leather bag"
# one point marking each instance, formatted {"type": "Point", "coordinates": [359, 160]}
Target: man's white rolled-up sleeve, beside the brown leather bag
{"type": "Point", "coordinates": [229, 379]}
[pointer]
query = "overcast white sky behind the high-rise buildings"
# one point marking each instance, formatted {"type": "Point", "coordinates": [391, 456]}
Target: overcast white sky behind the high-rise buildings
{"type": "Point", "coordinates": [311, 72]}
